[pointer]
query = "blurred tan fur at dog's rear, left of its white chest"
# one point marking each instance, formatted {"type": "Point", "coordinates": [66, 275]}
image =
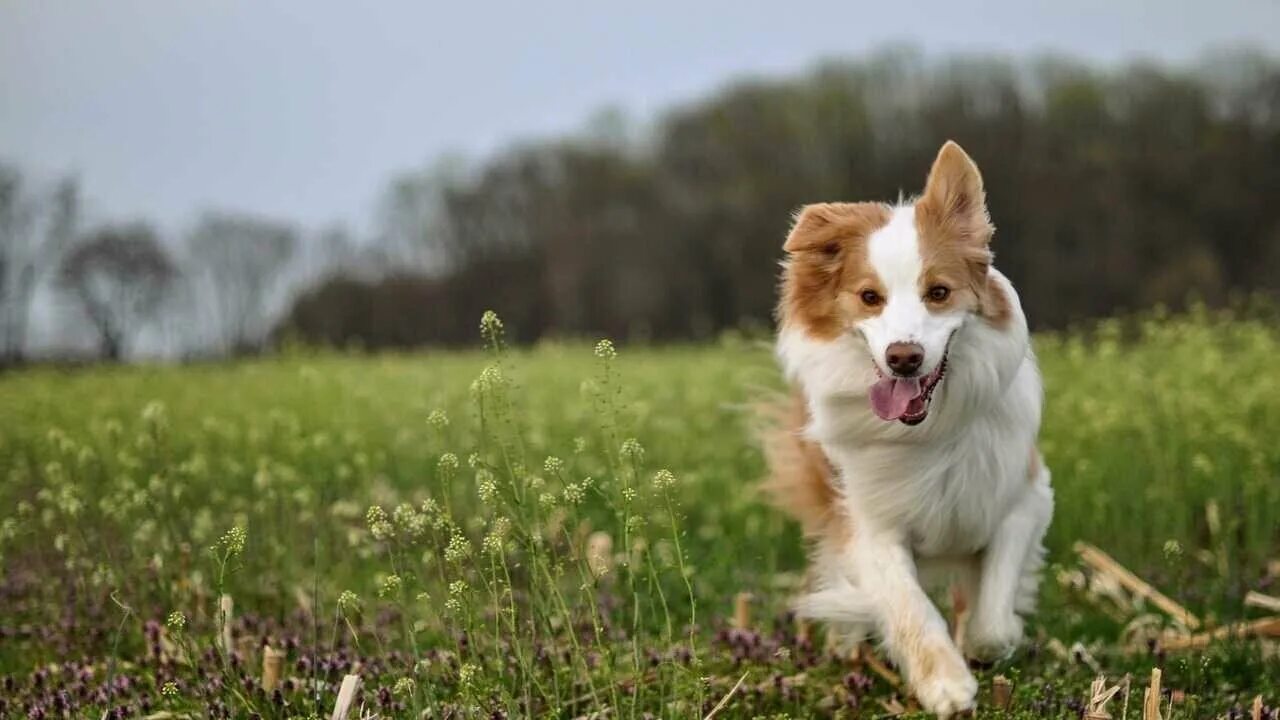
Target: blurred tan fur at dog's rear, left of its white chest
{"type": "Point", "coordinates": [802, 481]}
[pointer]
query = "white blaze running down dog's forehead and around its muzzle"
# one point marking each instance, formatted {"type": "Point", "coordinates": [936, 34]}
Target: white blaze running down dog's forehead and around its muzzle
{"type": "Point", "coordinates": [894, 253]}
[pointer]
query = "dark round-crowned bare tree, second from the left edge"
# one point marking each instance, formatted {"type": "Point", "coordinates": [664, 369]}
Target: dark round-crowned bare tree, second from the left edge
{"type": "Point", "coordinates": [120, 277]}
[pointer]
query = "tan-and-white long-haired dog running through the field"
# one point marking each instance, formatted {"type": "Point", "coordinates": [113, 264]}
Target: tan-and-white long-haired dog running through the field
{"type": "Point", "coordinates": [909, 452]}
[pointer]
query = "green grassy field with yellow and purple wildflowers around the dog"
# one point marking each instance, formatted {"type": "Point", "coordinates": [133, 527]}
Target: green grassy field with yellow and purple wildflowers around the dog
{"type": "Point", "coordinates": [559, 531]}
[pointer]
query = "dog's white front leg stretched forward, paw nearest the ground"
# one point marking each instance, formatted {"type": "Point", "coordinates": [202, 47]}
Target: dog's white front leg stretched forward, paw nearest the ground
{"type": "Point", "coordinates": [915, 631]}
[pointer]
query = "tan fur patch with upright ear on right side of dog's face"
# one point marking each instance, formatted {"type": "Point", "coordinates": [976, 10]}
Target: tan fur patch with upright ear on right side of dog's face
{"type": "Point", "coordinates": [956, 238]}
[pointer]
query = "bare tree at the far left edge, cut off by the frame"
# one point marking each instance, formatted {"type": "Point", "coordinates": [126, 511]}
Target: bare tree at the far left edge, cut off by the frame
{"type": "Point", "coordinates": [34, 234]}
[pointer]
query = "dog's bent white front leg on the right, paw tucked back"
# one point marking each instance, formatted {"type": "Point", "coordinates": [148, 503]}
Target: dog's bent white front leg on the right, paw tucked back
{"type": "Point", "coordinates": [1011, 573]}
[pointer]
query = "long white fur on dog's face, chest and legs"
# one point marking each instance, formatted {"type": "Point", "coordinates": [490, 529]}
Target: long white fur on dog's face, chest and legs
{"type": "Point", "coordinates": [950, 499]}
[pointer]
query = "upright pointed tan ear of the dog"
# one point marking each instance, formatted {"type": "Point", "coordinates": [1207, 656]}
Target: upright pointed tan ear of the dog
{"type": "Point", "coordinates": [954, 200]}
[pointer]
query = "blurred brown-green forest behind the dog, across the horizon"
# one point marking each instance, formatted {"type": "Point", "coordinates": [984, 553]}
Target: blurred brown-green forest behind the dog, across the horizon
{"type": "Point", "coordinates": [1113, 189]}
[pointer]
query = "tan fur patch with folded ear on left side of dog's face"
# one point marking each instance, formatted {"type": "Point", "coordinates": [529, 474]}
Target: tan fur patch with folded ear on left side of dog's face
{"type": "Point", "coordinates": [828, 267]}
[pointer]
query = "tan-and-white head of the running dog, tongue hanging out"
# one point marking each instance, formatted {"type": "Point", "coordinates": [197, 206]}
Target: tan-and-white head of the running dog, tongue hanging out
{"type": "Point", "coordinates": [906, 279]}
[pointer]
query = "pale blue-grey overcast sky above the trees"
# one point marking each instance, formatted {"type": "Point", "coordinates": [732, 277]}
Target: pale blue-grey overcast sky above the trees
{"type": "Point", "coordinates": [305, 110]}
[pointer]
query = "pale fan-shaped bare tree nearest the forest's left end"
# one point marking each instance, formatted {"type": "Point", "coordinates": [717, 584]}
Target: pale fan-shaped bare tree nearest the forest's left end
{"type": "Point", "coordinates": [241, 263]}
